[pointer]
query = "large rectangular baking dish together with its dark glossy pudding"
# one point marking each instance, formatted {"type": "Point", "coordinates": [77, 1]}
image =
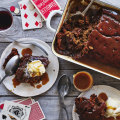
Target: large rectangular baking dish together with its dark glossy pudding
{"type": "Point", "coordinates": [96, 62]}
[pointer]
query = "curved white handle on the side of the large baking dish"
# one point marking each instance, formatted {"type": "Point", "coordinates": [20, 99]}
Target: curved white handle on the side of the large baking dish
{"type": "Point", "coordinates": [50, 17]}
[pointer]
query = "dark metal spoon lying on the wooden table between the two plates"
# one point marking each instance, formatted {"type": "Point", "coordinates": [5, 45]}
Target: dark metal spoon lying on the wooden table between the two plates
{"type": "Point", "coordinates": [63, 87]}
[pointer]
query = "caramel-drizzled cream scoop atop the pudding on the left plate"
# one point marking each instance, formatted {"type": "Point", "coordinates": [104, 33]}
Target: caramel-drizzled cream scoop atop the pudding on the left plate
{"type": "Point", "coordinates": [35, 68]}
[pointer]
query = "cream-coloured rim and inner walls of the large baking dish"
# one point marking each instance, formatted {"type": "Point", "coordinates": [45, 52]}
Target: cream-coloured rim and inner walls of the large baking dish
{"type": "Point", "coordinates": [113, 72]}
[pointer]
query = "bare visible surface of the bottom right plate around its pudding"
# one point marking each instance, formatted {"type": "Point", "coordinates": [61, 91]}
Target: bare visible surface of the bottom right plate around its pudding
{"type": "Point", "coordinates": [110, 91]}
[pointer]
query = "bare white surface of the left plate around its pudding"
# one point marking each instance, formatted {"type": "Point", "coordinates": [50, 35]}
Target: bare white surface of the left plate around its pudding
{"type": "Point", "coordinates": [25, 89]}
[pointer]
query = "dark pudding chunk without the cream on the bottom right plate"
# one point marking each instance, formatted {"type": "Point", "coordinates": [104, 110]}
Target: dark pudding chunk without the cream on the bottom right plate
{"type": "Point", "coordinates": [90, 109]}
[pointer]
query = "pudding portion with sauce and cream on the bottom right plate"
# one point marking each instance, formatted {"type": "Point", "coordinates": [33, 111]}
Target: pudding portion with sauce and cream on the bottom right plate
{"type": "Point", "coordinates": [98, 107]}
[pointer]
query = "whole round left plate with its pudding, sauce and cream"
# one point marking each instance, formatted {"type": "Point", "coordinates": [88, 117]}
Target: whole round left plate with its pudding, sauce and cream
{"type": "Point", "coordinates": [36, 72]}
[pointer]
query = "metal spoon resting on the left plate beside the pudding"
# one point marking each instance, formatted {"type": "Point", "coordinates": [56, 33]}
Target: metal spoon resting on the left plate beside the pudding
{"type": "Point", "coordinates": [11, 67]}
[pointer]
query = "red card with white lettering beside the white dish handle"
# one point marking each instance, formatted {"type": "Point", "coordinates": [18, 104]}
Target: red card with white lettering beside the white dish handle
{"type": "Point", "coordinates": [45, 6]}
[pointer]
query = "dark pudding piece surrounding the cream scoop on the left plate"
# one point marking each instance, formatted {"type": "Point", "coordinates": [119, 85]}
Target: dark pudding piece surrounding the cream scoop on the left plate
{"type": "Point", "coordinates": [22, 74]}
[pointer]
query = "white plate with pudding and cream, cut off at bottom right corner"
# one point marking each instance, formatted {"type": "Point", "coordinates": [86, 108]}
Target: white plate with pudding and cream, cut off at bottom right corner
{"type": "Point", "coordinates": [99, 103]}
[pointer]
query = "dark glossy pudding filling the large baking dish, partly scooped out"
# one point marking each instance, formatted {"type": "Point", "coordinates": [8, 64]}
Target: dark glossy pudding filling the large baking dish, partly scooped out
{"type": "Point", "coordinates": [93, 40]}
